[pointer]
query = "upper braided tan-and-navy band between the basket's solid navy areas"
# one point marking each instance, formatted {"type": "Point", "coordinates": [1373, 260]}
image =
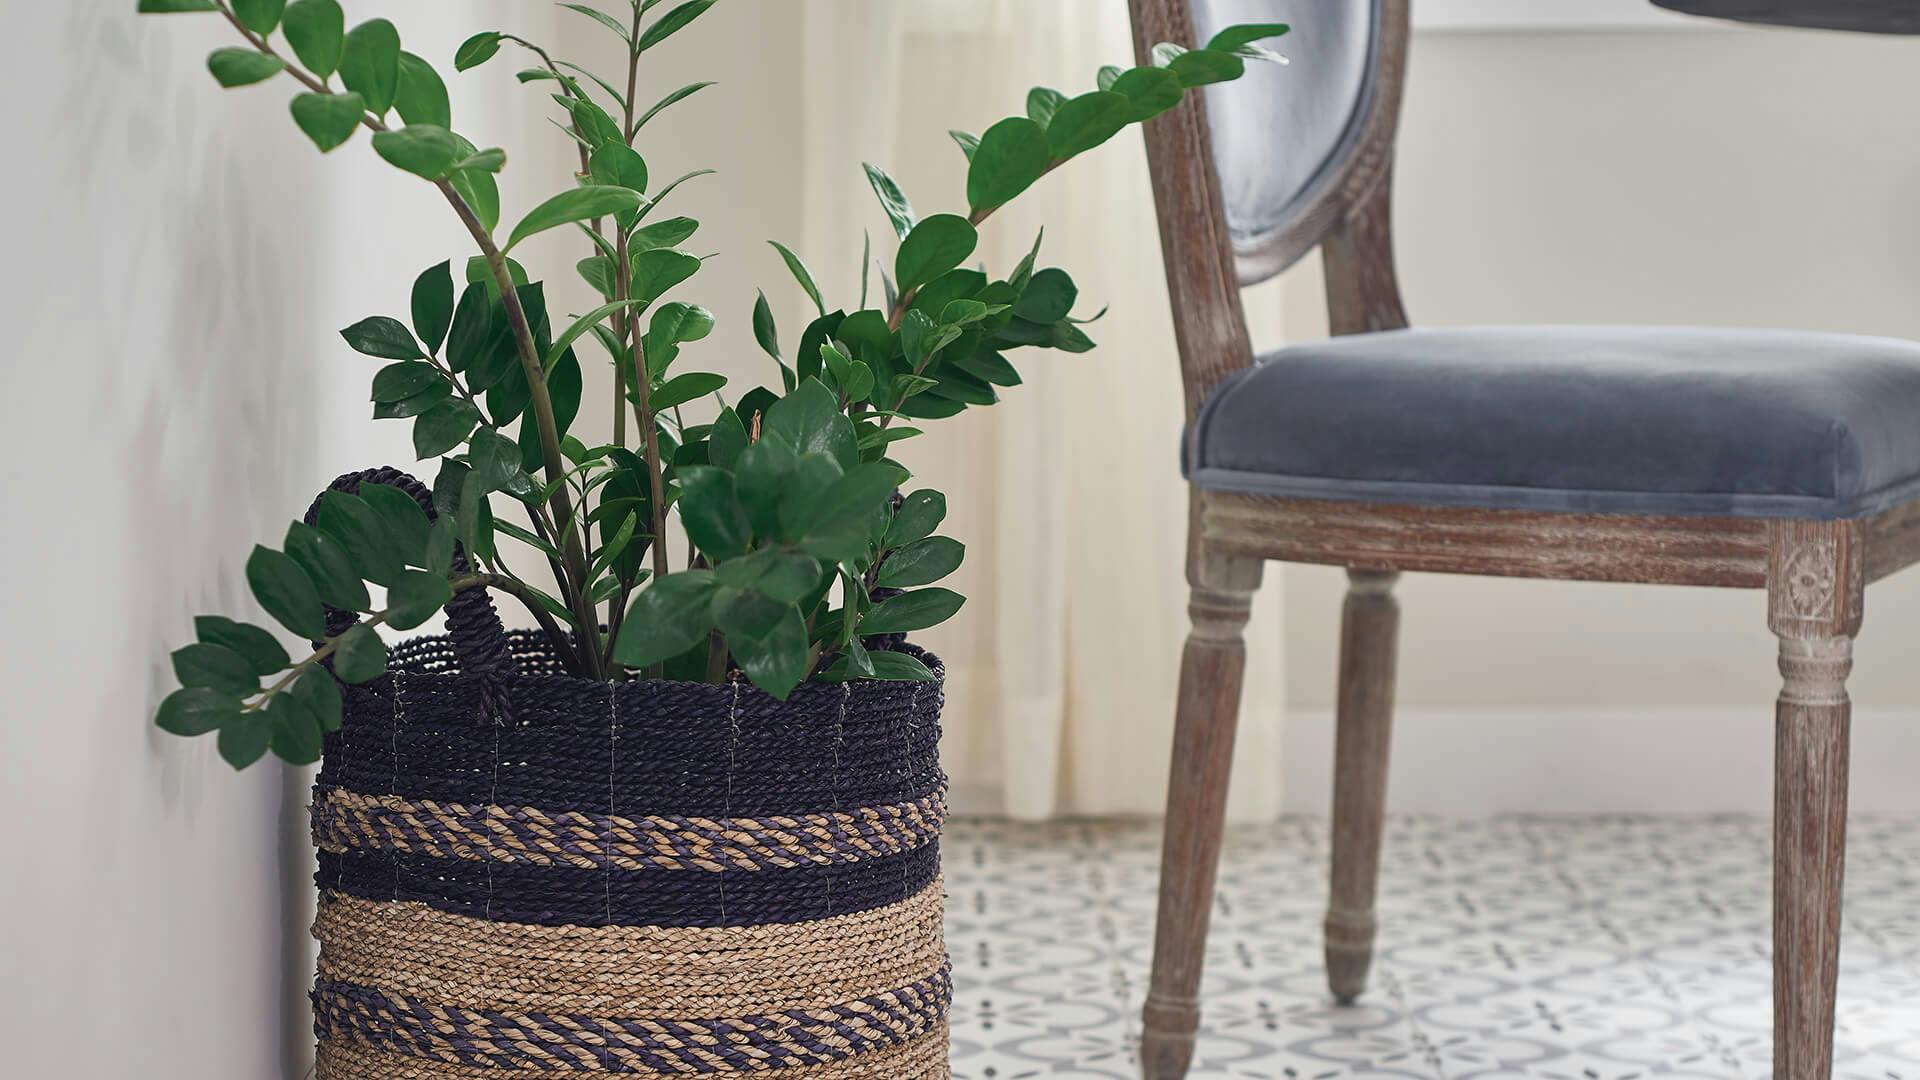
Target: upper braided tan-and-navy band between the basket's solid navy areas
{"type": "Point", "coordinates": [348, 822]}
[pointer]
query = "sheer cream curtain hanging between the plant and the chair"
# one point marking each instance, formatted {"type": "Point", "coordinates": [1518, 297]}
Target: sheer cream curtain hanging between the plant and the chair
{"type": "Point", "coordinates": [1065, 664]}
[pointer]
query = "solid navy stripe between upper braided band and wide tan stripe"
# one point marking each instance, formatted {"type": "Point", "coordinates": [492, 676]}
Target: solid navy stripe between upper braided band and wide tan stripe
{"type": "Point", "coordinates": [571, 896]}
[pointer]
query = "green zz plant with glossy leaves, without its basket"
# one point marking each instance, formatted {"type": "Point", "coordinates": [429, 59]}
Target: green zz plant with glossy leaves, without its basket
{"type": "Point", "coordinates": [800, 547]}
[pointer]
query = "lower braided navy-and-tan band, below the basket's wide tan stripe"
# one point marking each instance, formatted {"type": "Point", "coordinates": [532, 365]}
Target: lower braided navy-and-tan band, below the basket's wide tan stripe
{"type": "Point", "coordinates": [596, 1044]}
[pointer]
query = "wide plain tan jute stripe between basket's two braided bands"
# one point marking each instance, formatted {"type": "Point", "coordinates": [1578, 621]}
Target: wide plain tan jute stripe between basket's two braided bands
{"type": "Point", "coordinates": [629, 971]}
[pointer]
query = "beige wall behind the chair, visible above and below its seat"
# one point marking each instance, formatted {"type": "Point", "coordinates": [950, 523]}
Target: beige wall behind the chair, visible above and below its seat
{"type": "Point", "coordinates": [1723, 178]}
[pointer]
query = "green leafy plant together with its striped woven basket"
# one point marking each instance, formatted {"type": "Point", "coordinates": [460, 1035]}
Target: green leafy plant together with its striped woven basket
{"type": "Point", "coordinates": [690, 823]}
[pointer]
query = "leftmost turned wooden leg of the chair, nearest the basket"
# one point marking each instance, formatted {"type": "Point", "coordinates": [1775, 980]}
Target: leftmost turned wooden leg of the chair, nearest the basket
{"type": "Point", "coordinates": [1212, 668]}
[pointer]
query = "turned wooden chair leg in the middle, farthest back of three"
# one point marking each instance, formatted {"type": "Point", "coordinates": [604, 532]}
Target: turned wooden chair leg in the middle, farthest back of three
{"type": "Point", "coordinates": [1370, 629]}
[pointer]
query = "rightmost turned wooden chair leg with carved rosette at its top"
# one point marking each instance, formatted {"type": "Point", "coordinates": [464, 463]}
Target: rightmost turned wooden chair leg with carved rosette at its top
{"type": "Point", "coordinates": [1813, 604]}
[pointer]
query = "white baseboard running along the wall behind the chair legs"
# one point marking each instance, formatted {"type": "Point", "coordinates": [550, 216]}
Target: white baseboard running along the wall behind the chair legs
{"type": "Point", "coordinates": [1677, 760]}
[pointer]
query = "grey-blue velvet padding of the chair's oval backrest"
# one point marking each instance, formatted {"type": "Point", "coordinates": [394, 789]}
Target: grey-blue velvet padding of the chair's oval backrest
{"type": "Point", "coordinates": [1282, 132]}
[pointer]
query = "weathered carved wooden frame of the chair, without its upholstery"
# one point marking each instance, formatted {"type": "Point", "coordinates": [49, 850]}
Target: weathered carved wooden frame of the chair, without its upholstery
{"type": "Point", "coordinates": [1813, 572]}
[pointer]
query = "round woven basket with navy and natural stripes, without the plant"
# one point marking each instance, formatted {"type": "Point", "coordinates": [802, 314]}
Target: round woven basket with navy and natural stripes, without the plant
{"type": "Point", "coordinates": [527, 873]}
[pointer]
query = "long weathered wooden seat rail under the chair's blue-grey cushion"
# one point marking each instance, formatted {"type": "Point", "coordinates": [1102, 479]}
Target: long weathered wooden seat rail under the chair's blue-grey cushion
{"type": "Point", "coordinates": [1493, 543]}
